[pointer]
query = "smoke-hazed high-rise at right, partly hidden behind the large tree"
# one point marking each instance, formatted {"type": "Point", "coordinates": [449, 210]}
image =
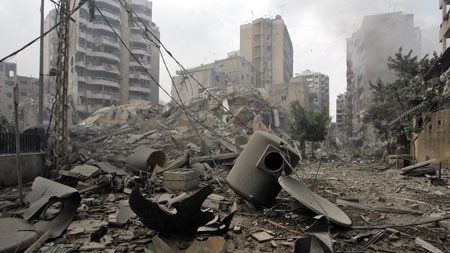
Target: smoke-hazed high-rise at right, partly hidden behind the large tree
{"type": "Point", "coordinates": [379, 37]}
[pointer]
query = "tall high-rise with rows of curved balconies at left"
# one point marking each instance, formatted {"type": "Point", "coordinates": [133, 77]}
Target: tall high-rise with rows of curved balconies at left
{"type": "Point", "coordinates": [102, 72]}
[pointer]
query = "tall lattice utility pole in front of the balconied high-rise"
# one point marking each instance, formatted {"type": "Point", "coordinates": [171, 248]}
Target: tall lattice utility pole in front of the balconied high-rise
{"type": "Point", "coordinates": [62, 80]}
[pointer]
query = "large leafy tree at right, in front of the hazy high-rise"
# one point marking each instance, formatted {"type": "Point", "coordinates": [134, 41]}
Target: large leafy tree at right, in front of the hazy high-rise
{"type": "Point", "coordinates": [395, 104]}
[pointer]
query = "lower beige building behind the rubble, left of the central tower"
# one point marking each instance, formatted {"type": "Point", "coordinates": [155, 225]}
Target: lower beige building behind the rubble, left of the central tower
{"type": "Point", "coordinates": [234, 70]}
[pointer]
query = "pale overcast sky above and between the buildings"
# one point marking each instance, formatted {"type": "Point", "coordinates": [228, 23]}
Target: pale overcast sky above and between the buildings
{"type": "Point", "coordinates": [201, 31]}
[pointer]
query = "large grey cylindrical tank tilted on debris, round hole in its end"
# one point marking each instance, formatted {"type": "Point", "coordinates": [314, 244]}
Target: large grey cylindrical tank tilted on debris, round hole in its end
{"type": "Point", "coordinates": [255, 174]}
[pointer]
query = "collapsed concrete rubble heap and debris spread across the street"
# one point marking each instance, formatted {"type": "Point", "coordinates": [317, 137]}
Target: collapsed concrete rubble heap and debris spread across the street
{"type": "Point", "coordinates": [159, 178]}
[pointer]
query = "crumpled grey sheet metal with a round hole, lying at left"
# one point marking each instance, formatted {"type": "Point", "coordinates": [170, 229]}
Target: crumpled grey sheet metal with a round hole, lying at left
{"type": "Point", "coordinates": [44, 193]}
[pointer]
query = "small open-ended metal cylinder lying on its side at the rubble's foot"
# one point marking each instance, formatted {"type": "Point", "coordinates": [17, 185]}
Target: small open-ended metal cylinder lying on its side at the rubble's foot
{"type": "Point", "coordinates": [145, 159]}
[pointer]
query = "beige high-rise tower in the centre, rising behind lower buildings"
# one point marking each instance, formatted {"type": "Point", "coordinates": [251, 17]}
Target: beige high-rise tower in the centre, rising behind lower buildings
{"type": "Point", "coordinates": [266, 43]}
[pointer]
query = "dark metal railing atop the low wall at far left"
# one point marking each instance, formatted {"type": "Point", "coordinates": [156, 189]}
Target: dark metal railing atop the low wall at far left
{"type": "Point", "coordinates": [28, 143]}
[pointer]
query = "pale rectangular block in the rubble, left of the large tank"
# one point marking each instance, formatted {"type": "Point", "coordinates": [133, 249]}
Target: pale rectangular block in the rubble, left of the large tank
{"type": "Point", "coordinates": [181, 179]}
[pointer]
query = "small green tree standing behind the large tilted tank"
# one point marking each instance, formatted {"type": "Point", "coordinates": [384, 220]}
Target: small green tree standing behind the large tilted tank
{"type": "Point", "coordinates": [308, 125]}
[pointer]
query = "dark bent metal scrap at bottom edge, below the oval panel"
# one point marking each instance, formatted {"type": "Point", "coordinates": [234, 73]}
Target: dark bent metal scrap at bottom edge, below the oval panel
{"type": "Point", "coordinates": [318, 240]}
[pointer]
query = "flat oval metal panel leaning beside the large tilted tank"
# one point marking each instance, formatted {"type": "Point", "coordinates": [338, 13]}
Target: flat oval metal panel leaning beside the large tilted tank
{"type": "Point", "coordinates": [313, 201]}
